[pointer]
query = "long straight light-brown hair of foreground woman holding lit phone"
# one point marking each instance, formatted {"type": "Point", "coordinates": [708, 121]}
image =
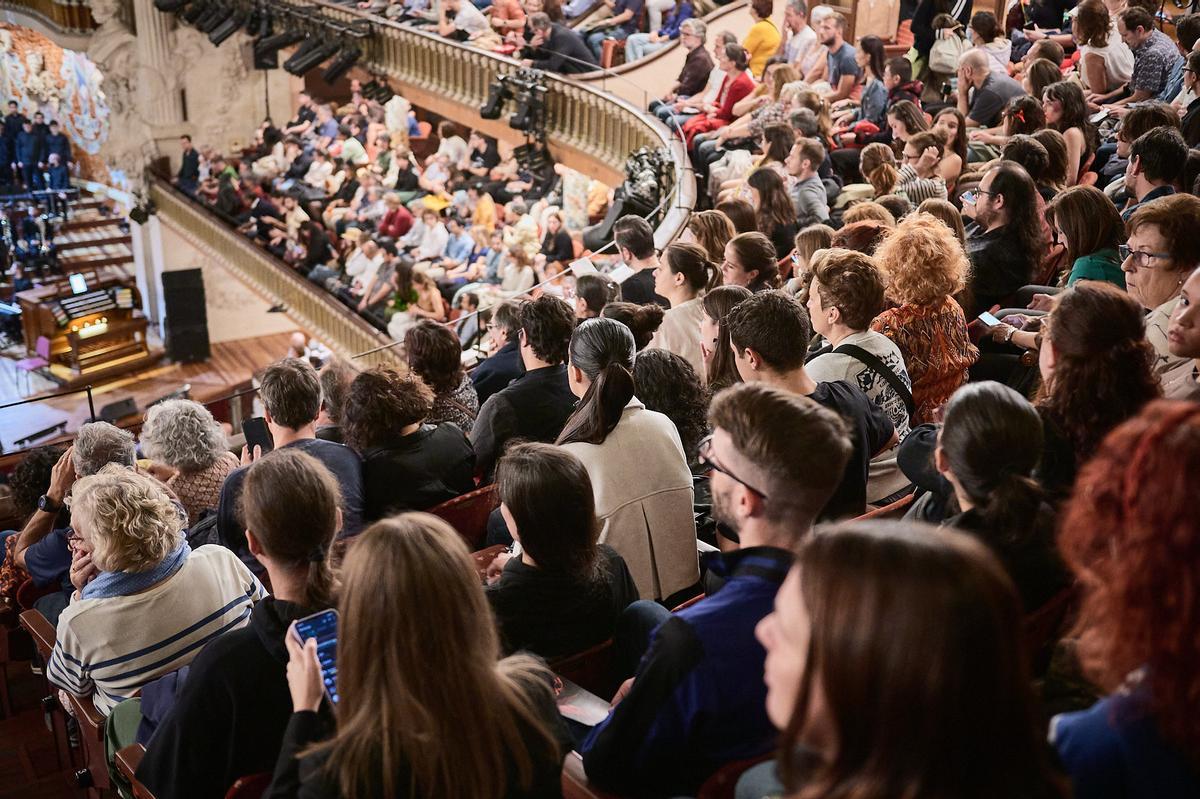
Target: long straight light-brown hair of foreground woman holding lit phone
{"type": "Point", "coordinates": [419, 668]}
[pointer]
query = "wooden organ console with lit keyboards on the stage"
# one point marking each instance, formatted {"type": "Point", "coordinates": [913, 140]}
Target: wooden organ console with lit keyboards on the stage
{"type": "Point", "coordinates": [89, 332]}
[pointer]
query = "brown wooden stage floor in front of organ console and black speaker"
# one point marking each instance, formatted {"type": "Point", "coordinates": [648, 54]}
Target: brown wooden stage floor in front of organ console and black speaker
{"type": "Point", "coordinates": [231, 365]}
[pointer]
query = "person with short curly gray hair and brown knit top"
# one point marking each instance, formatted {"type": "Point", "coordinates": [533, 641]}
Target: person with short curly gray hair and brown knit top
{"type": "Point", "coordinates": [189, 452]}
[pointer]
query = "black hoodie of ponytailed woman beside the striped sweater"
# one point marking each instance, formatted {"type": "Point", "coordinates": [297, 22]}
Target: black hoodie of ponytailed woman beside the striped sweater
{"type": "Point", "coordinates": [230, 717]}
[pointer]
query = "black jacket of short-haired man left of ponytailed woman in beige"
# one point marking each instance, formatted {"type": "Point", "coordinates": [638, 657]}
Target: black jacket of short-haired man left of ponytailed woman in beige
{"type": "Point", "coordinates": [533, 408]}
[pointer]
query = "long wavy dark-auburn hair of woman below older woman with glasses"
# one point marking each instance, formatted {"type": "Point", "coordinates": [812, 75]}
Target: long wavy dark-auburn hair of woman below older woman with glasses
{"type": "Point", "coordinates": [1102, 373]}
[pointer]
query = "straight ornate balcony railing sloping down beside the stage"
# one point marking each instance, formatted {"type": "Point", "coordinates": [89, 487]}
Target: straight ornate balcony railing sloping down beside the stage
{"type": "Point", "coordinates": [316, 311]}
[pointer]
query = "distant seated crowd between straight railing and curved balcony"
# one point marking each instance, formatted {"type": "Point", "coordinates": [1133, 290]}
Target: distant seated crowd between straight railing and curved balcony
{"type": "Point", "coordinates": [340, 197]}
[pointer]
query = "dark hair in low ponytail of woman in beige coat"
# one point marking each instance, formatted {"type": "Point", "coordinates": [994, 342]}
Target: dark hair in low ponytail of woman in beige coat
{"type": "Point", "coordinates": [603, 350]}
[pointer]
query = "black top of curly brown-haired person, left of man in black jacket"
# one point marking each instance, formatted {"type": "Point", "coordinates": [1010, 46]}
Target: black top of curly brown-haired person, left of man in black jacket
{"type": "Point", "coordinates": [418, 471]}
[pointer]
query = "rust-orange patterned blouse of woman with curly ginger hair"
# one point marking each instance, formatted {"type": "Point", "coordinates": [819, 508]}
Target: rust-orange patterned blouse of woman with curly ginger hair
{"type": "Point", "coordinates": [937, 350]}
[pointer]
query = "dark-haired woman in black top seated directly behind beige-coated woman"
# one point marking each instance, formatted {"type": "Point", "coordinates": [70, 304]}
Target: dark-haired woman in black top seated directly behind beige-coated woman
{"type": "Point", "coordinates": [565, 592]}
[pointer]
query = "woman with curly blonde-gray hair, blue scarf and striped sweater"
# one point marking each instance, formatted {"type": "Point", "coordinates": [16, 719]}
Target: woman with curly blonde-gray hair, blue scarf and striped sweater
{"type": "Point", "coordinates": [145, 603]}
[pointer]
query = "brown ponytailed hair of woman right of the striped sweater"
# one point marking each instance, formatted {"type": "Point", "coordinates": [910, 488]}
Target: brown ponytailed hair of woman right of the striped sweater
{"type": "Point", "coordinates": [290, 502]}
